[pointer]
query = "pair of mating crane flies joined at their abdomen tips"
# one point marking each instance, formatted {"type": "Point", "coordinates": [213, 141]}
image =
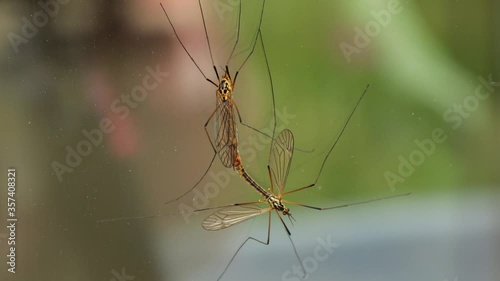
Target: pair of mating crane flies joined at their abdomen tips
{"type": "Point", "coordinates": [225, 145]}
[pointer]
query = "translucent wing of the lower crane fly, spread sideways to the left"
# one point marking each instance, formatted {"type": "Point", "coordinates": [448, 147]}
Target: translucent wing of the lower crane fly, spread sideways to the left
{"type": "Point", "coordinates": [230, 216]}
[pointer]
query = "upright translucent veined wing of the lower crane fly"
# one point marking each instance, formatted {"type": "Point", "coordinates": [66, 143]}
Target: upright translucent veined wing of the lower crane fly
{"type": "Point", "coordinates": [280, 159]}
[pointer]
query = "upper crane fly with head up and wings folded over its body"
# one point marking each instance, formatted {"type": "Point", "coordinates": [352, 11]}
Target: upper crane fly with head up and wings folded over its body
{"type": "Point", "coordinates": [225, 143]}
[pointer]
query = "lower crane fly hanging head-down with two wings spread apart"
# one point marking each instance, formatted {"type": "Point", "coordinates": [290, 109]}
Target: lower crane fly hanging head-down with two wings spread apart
{"type": "Point", "coordinates": [280, 159]}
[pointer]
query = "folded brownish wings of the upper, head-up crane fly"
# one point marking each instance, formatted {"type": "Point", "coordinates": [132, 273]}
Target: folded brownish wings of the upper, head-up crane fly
{"type": "Point", "coordinates": [225, 127]}
